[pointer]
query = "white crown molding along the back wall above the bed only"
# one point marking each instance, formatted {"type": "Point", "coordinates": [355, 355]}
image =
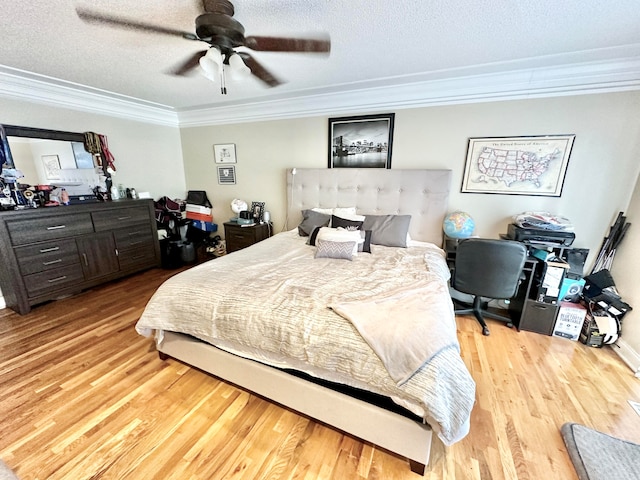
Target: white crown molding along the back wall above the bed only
{"type": "Point", "coordinates": [584, 78]}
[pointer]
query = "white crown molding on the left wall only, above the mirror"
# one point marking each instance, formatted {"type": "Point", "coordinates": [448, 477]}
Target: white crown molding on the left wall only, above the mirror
{"type": "Point", "coordinates": [20, 85]}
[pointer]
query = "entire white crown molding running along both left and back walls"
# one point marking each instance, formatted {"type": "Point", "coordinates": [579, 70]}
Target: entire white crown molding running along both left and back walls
{"type": "Point", "coordinates": [450, 88]}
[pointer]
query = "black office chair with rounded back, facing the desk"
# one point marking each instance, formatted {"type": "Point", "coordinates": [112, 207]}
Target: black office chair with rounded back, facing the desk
{"type": "Point", "coordinates": [487, 268]}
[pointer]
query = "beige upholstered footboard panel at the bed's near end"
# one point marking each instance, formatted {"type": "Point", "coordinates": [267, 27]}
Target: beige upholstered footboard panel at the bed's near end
{"type": "Point", "coordinates": [387, 429]}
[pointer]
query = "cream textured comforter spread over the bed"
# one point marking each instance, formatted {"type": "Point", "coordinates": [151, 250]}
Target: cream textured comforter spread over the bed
{"type": "Point", "coordinates": [270, 302]}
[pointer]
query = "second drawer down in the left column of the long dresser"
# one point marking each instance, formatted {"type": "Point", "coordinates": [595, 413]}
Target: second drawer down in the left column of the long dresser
{"type": "Point", "coordinates": [47, 256]}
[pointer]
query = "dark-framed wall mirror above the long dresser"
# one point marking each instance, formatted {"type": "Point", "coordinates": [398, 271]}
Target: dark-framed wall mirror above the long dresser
{"type": "Point", "coordinates": [52, 157]}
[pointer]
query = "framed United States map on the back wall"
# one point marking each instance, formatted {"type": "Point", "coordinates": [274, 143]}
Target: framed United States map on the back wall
{"type": "Point", "coordinates": [533, 165]}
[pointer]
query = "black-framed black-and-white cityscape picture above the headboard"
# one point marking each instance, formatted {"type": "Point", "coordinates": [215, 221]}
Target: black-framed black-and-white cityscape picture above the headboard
{"type": "Point", "coordinates": [361, 142]}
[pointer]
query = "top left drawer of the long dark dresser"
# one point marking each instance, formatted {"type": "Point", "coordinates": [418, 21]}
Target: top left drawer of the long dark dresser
{"type": "Point", "coordinates": [48, 228]}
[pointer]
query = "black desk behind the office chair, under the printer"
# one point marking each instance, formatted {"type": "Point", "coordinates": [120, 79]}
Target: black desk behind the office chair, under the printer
{"type": "Point", "coordinates": [526, 312]}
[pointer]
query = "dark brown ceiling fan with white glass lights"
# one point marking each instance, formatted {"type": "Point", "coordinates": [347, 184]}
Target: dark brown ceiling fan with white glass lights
{"type": "Point", "coordinates": [224, 34]}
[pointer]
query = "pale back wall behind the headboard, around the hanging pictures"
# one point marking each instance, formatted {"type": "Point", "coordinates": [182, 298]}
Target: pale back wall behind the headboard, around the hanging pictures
{"type": "Point", "coordinates": [600, 177]}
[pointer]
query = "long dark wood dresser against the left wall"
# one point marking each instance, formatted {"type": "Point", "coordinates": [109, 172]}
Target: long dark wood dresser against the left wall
{"type": "Point", "coordinates": [50, 252]}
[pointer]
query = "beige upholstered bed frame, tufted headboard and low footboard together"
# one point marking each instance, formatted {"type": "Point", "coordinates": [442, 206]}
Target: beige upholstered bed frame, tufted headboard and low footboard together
{"type": "Point", "coordinates": [421, 193]}
